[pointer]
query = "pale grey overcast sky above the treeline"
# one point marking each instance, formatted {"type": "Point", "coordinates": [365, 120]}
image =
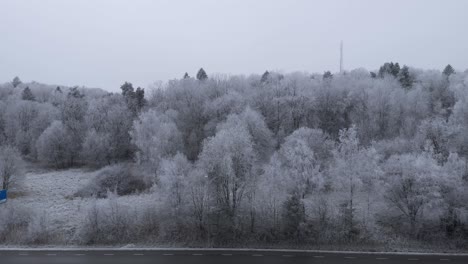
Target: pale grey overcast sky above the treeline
{"type": "Point", "coordinates": [102, 43]}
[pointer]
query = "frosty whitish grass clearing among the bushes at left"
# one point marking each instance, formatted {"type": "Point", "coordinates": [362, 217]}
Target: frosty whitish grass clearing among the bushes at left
{"type": "Point", "coordinates": [51, 194]}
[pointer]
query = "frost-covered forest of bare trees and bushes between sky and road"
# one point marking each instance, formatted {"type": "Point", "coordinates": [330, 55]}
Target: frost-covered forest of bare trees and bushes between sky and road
{"type": "Point", "coordinates": [377, 159]}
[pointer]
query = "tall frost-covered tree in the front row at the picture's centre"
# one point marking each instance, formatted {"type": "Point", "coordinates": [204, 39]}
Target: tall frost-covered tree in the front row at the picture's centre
{"type": "Point", "coordinates": [228, 160]}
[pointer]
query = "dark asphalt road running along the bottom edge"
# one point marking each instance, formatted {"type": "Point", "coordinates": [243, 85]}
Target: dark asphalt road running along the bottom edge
{"type": "Point", "coordinates": [216, 257]}
